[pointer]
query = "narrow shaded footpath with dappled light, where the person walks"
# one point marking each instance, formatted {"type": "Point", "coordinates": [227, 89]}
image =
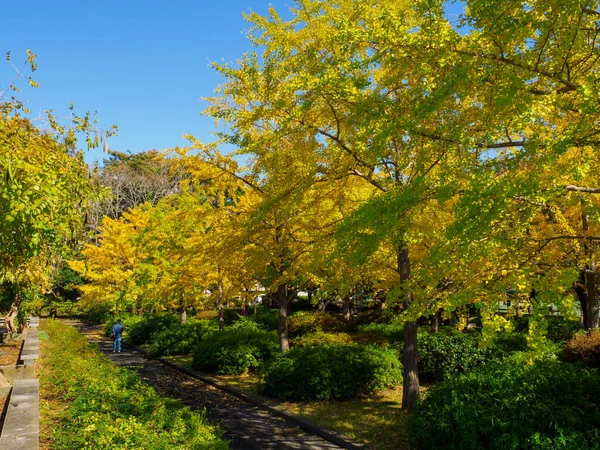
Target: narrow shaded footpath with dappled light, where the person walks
{"type": "Point", "coordinates": [246, 426]}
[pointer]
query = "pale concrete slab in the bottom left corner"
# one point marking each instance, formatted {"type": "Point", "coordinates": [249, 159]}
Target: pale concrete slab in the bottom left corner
{"type": "Point", "coordinates": [21, 423]}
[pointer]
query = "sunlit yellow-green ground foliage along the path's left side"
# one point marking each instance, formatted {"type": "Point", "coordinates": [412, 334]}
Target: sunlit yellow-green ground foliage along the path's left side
{"type": "Point", "coordinates": [108, 407]}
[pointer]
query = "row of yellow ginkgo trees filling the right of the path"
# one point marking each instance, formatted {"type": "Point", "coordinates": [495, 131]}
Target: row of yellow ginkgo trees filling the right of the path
{"type": "Point", "coordinates": [378, 144]}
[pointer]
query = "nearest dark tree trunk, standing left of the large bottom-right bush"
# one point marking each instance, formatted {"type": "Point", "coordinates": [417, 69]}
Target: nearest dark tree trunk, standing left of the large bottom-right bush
{"type": "Point", "coordinates": [410, 358]}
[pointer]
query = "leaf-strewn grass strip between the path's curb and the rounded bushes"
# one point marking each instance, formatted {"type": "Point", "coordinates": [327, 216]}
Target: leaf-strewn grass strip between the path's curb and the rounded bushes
{"type": "Point", "coordinates": [376, 420]}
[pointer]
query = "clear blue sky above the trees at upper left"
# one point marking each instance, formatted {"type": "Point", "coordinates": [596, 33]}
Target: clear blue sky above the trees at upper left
{"type": "Point", "coordinates": [142, 65]}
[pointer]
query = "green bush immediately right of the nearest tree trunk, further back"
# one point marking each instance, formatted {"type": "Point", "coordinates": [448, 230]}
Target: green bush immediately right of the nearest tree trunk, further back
{"type": "Point", "coordinates": [444, 354]}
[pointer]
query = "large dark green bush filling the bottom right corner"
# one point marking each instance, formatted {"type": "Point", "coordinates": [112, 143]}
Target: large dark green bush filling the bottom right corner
{"type": "Point", "coordinates": [511, 405]}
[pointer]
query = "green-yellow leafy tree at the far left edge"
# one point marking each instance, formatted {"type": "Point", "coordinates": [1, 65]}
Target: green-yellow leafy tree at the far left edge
{"type": "Point", "coordinates": [44, 194]}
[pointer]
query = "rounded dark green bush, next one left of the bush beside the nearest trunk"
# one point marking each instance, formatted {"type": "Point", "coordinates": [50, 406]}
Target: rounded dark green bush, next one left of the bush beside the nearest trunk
{"type": "Point", "coordinates": [235, 351]}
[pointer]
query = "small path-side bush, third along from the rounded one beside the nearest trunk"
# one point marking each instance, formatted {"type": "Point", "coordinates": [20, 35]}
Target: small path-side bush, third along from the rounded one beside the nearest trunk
{"type": "Point", "coordinates": [181, 339]}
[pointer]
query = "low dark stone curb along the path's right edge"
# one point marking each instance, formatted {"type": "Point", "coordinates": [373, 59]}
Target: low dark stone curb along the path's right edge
{"type": "Point", "coordinates": [307, 425]}
